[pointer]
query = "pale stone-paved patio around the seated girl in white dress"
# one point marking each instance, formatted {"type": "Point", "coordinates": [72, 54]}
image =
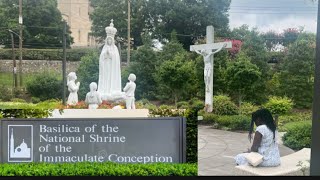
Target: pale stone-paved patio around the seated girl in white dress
{"type": "Point", "coordinates": [216, 149]}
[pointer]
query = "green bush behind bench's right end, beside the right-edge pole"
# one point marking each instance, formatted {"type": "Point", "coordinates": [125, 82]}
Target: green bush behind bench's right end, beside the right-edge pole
{"type": "Point", "coordinates": [298, 135]}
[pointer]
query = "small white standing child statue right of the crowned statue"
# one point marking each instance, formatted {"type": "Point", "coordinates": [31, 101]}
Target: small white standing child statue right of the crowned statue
{"type": "Point", "coordinates": [129, 90]}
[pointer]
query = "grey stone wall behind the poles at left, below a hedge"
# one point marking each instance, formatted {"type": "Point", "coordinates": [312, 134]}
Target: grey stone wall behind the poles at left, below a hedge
{"type": "Point", "coordinates": [31, 66]}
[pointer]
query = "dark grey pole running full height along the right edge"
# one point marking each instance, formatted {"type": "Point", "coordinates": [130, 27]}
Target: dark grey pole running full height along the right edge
{"type": "Point", "coordinates": [315, 143]}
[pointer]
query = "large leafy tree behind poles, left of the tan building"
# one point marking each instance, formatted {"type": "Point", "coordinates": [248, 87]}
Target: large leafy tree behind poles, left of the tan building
{"type": "Point", "coordinates": [42, 23]}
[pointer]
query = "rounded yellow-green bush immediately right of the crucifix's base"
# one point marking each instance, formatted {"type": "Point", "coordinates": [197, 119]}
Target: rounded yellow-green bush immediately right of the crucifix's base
{"type": "Point", "coordinates": [222, 105]}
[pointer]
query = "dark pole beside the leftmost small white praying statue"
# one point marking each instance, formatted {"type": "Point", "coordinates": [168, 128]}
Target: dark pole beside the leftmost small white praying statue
{"type": "Point", "coordinates": [64, 63]}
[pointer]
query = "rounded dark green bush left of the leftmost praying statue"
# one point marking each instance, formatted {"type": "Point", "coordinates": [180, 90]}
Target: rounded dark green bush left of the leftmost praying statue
{"type": "Point", "coordinates": [45, 86]}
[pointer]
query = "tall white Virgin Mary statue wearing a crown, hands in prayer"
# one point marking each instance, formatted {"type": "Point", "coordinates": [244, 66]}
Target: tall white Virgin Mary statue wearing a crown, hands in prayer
{"type": "Point", "coordinates": [109, 84]}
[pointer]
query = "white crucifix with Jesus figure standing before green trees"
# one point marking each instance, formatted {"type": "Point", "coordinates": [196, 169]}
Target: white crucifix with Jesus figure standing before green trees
{"type": "Point", "coordinates": [207, 51]}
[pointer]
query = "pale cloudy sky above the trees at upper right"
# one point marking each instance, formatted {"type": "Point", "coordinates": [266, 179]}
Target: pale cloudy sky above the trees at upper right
{"type": "Point", "coordinates": [274, 14]}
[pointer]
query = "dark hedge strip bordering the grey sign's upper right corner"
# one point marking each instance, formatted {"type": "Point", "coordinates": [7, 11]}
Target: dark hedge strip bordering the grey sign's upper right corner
{"type": "Point", "coordinates": [192, 128]}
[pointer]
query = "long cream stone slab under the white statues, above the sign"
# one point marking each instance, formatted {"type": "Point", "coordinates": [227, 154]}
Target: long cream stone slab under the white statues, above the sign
{"type": "Point", "coordinates": [100, 113]}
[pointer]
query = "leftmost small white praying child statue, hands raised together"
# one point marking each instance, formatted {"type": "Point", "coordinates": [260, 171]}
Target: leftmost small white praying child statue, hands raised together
{"type": "Point", "coordinates": [73, 88]}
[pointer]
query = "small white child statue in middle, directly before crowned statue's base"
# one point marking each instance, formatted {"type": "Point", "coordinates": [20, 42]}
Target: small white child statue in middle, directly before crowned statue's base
{"type": "Point", "coordinates": [93, 98]}
